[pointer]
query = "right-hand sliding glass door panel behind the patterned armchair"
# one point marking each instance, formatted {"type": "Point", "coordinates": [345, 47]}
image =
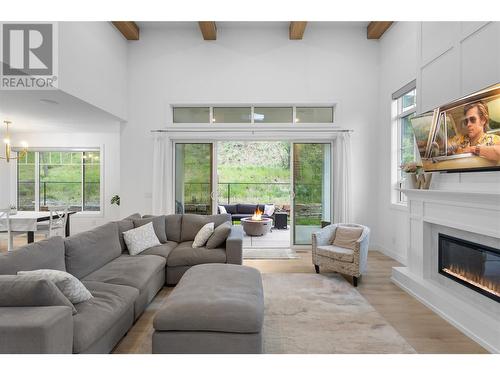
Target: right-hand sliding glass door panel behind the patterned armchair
{"type": "Point", "coordinates": [312, 191]}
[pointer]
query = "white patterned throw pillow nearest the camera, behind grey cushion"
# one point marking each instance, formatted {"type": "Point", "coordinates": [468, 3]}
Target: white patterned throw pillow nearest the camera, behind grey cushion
{"type": "Point", "coordinates": [70, 286]}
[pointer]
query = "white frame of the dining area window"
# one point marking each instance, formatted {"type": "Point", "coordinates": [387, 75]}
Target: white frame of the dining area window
{"type": "Point", "coordinates": [37, 150]}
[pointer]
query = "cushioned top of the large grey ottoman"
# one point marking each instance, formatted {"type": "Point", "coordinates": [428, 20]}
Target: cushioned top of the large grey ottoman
{"type": "Point", "coordinates": [217, 298]}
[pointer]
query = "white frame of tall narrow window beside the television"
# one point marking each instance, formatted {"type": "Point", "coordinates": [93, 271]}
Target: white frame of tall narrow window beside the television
{"type": "Point", "coordinates": [398, 113]}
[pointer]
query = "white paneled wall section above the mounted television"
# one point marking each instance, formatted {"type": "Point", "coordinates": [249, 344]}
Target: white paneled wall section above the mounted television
{"type": "Point", "coordinates": [456, 59]}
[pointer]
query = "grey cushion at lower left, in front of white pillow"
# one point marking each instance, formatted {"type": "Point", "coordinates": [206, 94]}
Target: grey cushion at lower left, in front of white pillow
{"type": "Point", "coordinates": [22, 291]}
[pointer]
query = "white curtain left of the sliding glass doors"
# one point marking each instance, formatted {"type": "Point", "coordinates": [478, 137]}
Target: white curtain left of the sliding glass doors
{"type": "Point", "coordinates": [159, 190]}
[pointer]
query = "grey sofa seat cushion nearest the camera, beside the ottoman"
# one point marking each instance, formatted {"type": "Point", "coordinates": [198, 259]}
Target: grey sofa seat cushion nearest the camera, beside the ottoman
{"type": "Point", "coordinates": [98, 315]}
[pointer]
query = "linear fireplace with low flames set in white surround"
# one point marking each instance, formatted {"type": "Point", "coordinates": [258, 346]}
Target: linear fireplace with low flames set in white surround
{"type": "Point", "coordinates": [473, 265]}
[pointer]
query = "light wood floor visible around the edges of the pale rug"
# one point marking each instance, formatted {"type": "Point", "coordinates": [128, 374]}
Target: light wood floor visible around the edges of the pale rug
{"type": "Point", "coordinates": [424, 330]}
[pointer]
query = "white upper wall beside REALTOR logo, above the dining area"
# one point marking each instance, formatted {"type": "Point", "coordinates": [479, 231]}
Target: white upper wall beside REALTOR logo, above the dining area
{"type": "Point", "coordinates": [93, 64]}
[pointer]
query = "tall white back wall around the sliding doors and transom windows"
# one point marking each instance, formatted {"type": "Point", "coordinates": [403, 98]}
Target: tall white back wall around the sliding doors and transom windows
{"type": "Point", "coordinates": [250, 64]}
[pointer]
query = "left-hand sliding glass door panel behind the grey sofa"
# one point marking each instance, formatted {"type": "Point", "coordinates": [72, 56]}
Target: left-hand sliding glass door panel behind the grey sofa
{"type": "Point", "coordinates": [194, 178]}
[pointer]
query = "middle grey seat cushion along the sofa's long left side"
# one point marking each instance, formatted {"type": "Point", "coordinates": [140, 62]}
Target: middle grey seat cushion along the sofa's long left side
{"type": "Point", "coordinates": [134, 271]}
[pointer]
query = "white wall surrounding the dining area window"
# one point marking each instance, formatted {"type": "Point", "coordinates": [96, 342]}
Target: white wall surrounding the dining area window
{"type": "Point", "coordinates": [109, 142]}
